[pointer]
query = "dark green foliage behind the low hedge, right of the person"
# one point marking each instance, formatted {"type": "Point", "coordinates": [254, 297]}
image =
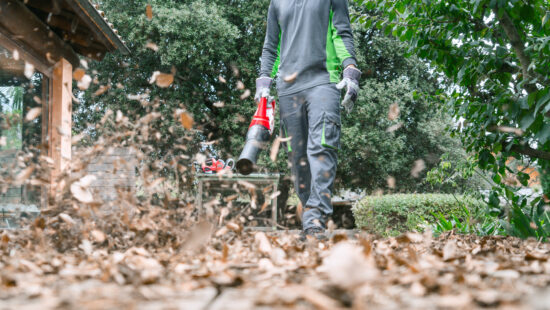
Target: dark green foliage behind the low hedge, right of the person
{"type": "Point", "coordinates": [371, 153]}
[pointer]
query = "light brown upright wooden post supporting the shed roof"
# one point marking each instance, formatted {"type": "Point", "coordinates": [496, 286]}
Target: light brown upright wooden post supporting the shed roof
{"type": "Point", "coordinates": [60, 121]}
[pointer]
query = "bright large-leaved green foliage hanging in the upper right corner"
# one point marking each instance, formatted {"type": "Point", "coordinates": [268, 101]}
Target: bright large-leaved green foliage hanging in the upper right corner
{"type": "Point", "coordinates": [496, 57]}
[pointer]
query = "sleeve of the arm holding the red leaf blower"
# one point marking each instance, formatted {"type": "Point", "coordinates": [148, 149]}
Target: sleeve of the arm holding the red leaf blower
{"type": "Point", "coordinates": [271, 49]}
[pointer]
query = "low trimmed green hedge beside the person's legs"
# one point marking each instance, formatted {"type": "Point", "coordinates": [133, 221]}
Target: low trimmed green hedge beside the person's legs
{"type": "Point", "coordinates": [391, 215]}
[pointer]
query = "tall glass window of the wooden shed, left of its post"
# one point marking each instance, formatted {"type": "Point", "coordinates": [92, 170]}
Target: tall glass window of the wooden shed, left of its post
{"type": "Point", "coordinates": [22, 90]}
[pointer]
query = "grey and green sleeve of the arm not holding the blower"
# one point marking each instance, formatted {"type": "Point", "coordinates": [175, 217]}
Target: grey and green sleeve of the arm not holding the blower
{"type": "Point", "coordinates": [343, 37]}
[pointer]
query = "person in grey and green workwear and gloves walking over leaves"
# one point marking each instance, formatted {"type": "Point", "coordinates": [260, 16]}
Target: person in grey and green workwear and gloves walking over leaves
{"type": "Point", "coordinates": [307, 44]}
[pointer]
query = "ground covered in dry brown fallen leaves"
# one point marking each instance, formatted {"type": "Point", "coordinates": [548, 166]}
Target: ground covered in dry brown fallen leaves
{"type": "Point", "coordinates": [66, 263]}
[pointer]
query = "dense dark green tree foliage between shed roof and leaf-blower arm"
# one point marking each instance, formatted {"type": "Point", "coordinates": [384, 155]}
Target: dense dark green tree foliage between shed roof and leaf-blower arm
{"type": "Point", "coordinates": [211, 47]}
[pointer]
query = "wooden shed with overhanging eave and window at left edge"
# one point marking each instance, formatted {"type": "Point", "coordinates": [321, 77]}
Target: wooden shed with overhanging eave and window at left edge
{"type": "Point", "coordinates": [42, 42]}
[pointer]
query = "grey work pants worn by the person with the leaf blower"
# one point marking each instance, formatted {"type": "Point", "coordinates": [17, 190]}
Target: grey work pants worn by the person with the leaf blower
{"type": "Point", "coordinates": [312, 119]}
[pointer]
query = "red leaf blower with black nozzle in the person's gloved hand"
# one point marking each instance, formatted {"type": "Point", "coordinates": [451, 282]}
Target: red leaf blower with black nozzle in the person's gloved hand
{"type": "Point", "coordinates": [258, 135]}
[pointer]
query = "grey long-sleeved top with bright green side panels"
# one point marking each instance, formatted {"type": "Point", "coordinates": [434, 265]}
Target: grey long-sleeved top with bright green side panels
{"type": "Point", "coordinates": [308, 39]}
